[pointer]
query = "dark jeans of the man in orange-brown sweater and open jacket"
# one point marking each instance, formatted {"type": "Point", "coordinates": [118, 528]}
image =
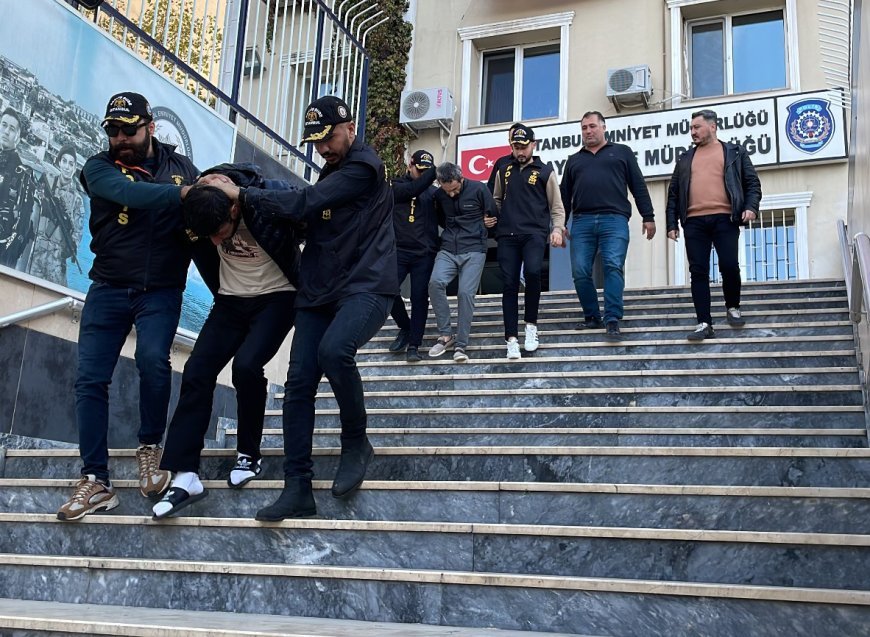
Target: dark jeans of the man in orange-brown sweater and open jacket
{"type": "Point", "coordinates": [703, 233]}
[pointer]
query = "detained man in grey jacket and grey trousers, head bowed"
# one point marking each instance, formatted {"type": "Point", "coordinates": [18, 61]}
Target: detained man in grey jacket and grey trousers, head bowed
{"type": "Point", "coordinates": [467, 209]}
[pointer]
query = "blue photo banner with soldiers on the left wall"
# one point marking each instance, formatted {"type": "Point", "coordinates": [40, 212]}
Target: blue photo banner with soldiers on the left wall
{"type": "Point", "coordinates": [57, 72]}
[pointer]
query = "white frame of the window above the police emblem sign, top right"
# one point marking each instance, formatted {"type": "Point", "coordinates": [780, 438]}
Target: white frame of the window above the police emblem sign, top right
{"type": "Point", "coordinates": [679, 44]}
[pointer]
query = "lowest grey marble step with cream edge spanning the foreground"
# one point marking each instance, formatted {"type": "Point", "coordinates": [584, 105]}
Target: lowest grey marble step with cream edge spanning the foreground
{"type": "Point", "coordinates": [550, 603]}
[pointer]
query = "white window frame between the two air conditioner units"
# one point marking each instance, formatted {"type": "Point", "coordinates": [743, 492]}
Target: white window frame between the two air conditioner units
{"type": "Point", "coordinates": [474, 47]}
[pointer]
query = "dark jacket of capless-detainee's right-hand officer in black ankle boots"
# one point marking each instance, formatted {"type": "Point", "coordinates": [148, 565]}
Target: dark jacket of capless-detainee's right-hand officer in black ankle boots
{"type": "Point", "coordinates": [350, 245]}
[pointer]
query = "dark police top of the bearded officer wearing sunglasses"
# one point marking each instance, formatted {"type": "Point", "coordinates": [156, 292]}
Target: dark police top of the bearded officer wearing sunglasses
{"type": "Point", "coordinates": [138, 233]}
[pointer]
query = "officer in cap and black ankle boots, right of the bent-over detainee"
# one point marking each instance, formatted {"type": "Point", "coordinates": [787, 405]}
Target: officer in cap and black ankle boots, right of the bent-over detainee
{"type": "Point", "coordinates": [347, 285]}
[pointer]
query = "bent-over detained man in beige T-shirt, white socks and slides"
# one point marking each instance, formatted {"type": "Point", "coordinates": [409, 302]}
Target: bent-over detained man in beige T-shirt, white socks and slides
{"type": "Point", "coordinates": [253, 273]}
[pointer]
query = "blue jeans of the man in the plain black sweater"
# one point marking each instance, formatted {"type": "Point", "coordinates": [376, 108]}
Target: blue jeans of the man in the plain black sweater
{"type": "Point", "coordinates": [607, 234]}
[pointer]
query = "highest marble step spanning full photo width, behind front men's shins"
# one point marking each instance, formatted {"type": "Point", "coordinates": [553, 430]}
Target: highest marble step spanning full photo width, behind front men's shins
{"type": "Point", "coordinates": [760, 466]}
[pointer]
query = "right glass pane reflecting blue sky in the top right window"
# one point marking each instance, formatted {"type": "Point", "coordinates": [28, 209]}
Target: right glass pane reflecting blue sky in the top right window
{"type": "Point", "coordinates": [758, 51]}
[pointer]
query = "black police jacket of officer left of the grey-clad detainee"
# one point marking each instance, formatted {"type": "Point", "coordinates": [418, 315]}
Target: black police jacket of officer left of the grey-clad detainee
{"type": "Point", "coordinates": [414, 219]}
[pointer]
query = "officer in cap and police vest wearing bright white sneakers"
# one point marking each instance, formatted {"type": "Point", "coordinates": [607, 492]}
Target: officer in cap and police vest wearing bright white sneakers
{"type": "Point", "coordinates": [530, 216]}
